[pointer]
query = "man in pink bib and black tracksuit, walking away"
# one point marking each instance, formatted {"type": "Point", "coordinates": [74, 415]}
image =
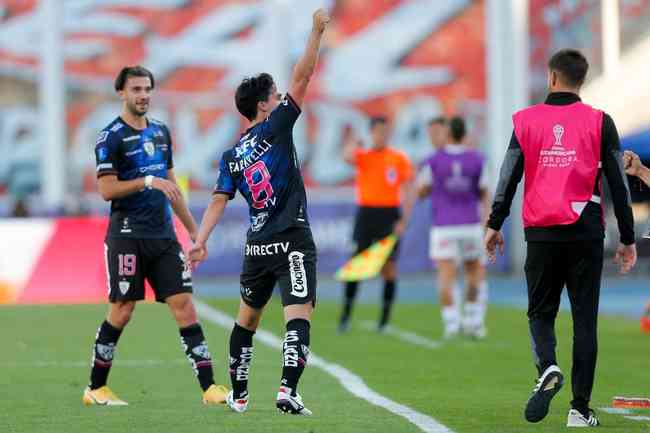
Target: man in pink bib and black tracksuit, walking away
{"type": "Point", "coordinates": [564, 147]}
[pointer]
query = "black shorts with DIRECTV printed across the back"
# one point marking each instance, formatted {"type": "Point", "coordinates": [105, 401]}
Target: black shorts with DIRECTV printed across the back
{"type": "Point", "coordinates": [288, 259]}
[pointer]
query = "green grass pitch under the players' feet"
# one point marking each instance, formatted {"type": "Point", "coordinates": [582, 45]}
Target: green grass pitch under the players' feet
{"type": "Point", "coordinates": [471, 387]}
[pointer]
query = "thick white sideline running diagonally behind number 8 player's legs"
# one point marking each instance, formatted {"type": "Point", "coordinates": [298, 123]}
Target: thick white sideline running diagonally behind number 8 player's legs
{"type": "Point", "coordinates": [350, 381]}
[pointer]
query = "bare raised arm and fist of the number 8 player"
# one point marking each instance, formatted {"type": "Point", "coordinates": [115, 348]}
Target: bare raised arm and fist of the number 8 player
{"type": "Point", "coordinates": [305, 67]}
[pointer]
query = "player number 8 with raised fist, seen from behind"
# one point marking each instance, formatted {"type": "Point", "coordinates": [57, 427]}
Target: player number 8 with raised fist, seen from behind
{"type": "Point", "coordinates": [263, 167]}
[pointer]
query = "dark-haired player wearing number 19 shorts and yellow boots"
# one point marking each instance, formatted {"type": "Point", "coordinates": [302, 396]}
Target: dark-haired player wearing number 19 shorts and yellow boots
{"type": "Point", "coordinates": [135, 172]}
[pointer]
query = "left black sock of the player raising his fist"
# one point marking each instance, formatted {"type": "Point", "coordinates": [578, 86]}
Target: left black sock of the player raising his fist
{"type": "Point", "coordinates": [241, 354]}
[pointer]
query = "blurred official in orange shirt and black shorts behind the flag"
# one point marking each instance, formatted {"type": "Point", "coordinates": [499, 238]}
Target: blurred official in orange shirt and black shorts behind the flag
{"type": "Point", "coordinates": [384, 177]}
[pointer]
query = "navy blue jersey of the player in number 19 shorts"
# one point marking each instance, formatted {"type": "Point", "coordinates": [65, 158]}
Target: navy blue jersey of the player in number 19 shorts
{"type": "Point", "coordinates": [130, 153]}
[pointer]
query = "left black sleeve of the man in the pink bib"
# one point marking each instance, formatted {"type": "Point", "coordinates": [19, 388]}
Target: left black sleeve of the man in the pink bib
{"type": "Point", "coordinates": [510, 175]}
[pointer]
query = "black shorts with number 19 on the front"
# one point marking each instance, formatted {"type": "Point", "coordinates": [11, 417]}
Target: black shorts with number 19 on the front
{"type": "Point", "coordinates": [160, 261]}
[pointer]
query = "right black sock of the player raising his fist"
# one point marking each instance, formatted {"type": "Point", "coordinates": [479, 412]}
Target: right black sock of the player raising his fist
{"type": "Point", "coordinates": [295, 350]}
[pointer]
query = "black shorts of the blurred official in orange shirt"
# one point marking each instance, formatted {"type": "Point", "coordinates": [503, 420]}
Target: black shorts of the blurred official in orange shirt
{"type": "Point", "coordinates": [373, 224]}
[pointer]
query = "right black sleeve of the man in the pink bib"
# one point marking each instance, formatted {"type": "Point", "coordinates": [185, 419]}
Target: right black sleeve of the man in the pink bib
{"type": "Point", "coordinates": [612, 161]}
